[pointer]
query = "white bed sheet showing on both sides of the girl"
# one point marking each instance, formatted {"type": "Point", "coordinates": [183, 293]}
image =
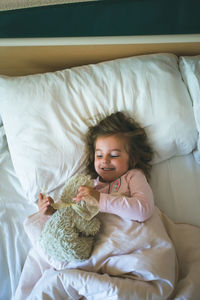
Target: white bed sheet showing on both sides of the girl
{"type": "Point", "coordinates": [176, 188]}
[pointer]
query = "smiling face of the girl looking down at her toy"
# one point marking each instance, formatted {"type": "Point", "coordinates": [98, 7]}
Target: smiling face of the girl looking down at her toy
{"type": "Point", "coordinates": [111, 159]}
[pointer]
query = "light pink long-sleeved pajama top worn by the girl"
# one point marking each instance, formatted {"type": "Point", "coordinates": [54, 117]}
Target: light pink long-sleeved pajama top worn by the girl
{"type": "Point", "coordinates": [129, 196]}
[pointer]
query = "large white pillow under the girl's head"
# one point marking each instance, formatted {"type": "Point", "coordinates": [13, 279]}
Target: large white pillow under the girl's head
{"type": "Point", "coordinates": [47, 115]}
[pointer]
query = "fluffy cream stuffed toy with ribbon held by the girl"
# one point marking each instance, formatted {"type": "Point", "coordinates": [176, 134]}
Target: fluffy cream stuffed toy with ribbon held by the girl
{"type": "Point", "coordinates": [69, 233]}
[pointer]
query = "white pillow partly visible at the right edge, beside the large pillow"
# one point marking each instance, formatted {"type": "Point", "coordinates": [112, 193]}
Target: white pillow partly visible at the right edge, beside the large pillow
{"type": "Point", "coordinates": [190, 70]}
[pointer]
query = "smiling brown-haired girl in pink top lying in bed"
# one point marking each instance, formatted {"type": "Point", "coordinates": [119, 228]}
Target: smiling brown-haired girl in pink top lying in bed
{"type": "Point", "coordinates": [119, 155]}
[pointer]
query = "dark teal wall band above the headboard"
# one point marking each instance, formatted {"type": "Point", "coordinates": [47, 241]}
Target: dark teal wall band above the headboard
{"type": "Point", "coordinates": [104, 18]}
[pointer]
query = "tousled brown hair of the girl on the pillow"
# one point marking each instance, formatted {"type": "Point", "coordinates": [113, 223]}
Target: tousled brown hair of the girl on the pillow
{"type": "Point", "coordinates": [138, 148]}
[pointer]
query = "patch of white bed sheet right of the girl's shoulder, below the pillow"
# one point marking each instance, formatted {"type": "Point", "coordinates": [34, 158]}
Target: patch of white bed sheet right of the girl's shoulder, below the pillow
{"type": "Point", "coordinates": [176, 186]}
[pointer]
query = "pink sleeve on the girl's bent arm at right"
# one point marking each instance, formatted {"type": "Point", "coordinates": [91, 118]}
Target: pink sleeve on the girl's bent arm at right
{"type": "Point", "coordinates": [139, 206]}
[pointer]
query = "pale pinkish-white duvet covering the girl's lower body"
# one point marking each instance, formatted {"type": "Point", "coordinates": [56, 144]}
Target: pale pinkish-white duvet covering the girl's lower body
{"type": "Point", "coordinates": [157, 259]}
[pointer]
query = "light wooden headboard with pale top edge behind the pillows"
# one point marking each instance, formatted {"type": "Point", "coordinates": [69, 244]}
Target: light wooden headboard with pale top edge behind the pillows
{"type": "Point", "coordinates": [37, 55]}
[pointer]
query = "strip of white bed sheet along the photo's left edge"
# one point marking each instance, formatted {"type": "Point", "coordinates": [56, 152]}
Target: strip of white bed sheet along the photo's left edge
{"type": "Point", "coordinates": [13, 210]}
